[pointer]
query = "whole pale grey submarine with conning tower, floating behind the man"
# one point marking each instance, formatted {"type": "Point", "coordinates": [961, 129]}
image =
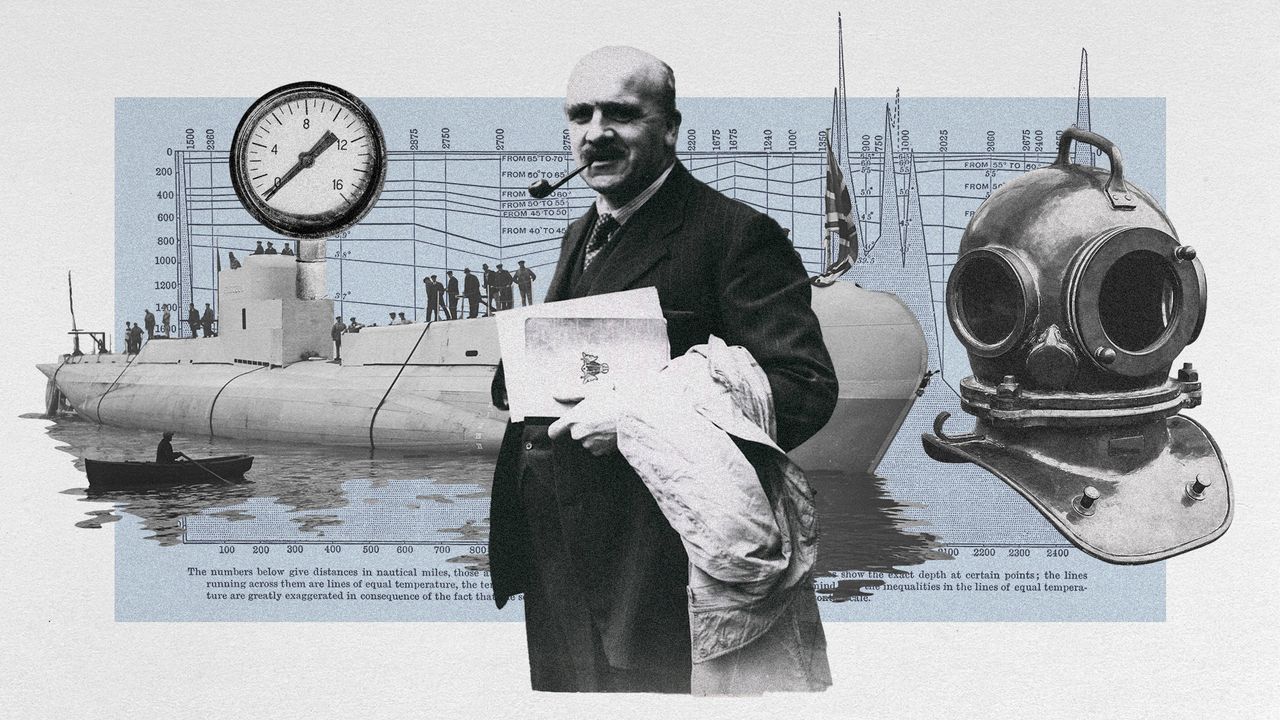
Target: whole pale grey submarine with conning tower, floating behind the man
{"type": "Point", "coordinates": [424, 389]}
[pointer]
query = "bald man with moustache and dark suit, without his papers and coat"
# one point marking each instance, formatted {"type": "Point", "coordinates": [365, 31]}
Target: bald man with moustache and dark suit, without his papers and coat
{"type": "Point", "coordinates": [573, 527]}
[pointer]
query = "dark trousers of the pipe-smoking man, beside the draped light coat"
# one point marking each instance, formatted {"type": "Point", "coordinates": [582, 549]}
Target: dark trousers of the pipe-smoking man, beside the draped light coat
{"type": "Point", "coordinates": [605, 604]}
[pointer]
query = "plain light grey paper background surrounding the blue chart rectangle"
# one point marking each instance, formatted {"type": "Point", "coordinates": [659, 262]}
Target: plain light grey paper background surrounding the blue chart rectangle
{"type": "Point", "coordinates": [63, 66]}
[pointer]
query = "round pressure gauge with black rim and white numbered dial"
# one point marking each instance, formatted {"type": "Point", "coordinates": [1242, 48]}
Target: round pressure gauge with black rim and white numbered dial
{"type": "Point", "coordinates": [309, 160]}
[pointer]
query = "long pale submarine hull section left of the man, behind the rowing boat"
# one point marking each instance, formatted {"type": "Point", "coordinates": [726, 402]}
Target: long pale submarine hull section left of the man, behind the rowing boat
{"type": "Point", "coordinates": [422, 408]}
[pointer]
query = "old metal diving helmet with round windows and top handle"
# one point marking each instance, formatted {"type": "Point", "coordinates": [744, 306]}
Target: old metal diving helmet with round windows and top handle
{"type": "Point", "coordinates": [1073, 298]}
